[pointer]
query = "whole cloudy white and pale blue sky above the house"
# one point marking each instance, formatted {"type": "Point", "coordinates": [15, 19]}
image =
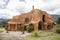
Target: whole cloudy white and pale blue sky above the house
{"type": "Point", "coordinates": [10, 8]}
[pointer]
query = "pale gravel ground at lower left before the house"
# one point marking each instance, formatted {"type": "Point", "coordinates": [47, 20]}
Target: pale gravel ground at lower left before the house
{"type": "Point", "coordinates": [13, 35]}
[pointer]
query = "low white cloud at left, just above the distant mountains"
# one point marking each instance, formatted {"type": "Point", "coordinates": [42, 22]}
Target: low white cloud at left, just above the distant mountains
{"type": "Point", "coordinates": [7, 13]}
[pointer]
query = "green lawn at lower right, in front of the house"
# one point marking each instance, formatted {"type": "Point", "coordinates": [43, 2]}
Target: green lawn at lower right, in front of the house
{"type": "Point", "coordinates": [46, 35]}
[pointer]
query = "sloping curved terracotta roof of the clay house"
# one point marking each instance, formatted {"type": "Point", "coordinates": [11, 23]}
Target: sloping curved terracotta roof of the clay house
{"type": "Point", "coordinates": [34, 15]}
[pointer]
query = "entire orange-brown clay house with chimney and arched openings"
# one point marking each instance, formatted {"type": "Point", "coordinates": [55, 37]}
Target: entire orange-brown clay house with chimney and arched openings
{"type": "Point", "coordinates": [40, 20]}
